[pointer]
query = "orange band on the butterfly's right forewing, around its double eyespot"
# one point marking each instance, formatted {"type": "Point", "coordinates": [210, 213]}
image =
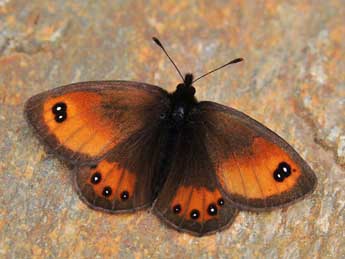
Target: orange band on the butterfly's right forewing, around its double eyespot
{"type": "Point", "coordinates": [250, 174]}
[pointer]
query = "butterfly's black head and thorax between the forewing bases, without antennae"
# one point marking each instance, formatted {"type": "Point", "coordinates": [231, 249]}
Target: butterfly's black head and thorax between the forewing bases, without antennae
{"type": "Point", "coordinates": [183, 99]}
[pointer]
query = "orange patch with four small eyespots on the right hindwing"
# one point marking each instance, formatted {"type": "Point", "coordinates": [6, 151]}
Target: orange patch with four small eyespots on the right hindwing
{"type": "Point", "coordinates": [197, 203]}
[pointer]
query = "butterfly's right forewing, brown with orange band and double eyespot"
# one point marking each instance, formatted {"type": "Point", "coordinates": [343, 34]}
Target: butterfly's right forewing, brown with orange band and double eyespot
{"type": "Point", "coordinates": [257, 169]}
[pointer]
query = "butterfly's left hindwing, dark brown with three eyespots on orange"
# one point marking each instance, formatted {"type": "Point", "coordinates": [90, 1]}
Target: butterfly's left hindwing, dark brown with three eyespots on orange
{"type": "Point", "coordinates": [127, 178]}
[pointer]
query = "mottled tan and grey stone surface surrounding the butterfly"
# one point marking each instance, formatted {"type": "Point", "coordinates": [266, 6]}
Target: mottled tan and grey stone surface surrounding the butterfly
{"type": "Point", "coordinates": [292, 80]}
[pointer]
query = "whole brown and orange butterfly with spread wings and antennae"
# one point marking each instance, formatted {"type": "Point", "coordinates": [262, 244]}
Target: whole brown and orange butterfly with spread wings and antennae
{"type": "Point", "coordinates": [134, 145]}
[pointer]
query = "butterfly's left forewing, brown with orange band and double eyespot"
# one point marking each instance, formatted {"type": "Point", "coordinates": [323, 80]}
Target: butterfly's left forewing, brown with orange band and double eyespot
{"type": "Point", "coordinates": [84, 121]}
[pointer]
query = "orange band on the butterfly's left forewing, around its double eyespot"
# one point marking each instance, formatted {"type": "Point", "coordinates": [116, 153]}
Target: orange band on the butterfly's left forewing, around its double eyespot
{"type": "Point", "coordinates": [85, 130]}
